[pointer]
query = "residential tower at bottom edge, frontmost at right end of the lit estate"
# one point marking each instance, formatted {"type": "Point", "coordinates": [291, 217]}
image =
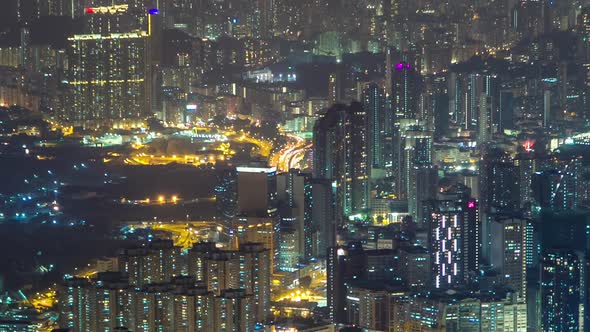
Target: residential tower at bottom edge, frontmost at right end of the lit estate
{"type": "Point", "coordinates": [234, 311]}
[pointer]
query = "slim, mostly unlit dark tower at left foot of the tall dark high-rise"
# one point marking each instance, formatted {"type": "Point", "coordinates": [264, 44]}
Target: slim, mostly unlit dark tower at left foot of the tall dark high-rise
{"type": "Point", "coordinates": [323, 216]}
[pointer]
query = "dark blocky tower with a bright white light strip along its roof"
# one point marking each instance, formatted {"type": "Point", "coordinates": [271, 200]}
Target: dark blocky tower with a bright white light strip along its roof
{"type": "Point", "coordinates": [257, 191]}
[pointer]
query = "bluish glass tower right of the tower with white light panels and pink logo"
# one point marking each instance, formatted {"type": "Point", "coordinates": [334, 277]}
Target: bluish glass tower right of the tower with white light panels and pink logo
{"type": "Point", "coordinates": [511, 245]}
